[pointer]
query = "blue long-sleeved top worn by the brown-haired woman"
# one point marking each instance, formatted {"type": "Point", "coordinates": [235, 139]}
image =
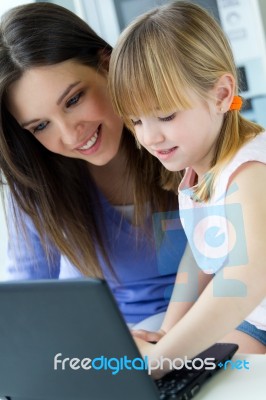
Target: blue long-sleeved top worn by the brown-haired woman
{"type": "Point", "coordinates": [145, 265]}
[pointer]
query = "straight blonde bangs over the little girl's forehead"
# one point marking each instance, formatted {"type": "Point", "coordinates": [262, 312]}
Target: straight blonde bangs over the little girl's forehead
{"type": "Point", "coordinates": [142, 83]}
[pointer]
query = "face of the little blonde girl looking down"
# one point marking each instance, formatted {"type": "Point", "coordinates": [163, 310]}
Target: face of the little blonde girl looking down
{"type": "Point", "coordinates": [184, 138]}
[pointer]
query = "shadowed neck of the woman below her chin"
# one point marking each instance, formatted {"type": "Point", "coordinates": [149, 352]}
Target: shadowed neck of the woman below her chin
{"type": "Point", "coordinates": [113, 181]}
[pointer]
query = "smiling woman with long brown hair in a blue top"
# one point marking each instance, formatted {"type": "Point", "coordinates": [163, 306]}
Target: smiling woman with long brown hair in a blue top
{"type": "Point", "coordinates": [82, 192]}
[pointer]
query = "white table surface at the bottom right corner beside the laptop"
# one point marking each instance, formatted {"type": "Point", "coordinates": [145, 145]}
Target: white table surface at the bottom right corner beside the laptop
{"type": "Point", "coordinates": [244, 384]}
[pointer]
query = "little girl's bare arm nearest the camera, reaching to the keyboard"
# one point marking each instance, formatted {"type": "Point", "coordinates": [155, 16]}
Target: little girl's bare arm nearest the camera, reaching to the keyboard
{"type": "Point", "coordinates": [218, 311]}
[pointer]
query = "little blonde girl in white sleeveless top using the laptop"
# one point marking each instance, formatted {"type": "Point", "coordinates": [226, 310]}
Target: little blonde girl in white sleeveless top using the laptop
{"type": "Point", "coordinates": [173, 79]}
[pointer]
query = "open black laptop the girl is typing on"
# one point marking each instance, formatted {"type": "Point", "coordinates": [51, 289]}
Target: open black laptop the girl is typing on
{"type": "Point", "coordinates": [66, 339]}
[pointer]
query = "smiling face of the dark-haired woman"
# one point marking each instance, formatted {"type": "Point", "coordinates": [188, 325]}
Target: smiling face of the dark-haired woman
{"type": "Point", "coordinates": [67, 108]}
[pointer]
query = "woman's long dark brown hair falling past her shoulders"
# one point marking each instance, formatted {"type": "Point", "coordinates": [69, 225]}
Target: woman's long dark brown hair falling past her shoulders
{"type": "Point", "coordinates": [58, 193]}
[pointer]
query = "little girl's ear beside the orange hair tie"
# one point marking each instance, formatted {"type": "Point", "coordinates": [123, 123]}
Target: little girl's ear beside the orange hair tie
{"type": "Point", "coordinates": [224, 92]}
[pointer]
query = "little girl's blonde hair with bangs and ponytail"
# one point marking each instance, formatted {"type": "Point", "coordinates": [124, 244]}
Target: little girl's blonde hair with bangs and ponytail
{"type": "Point", "coordinates": [160, 58]}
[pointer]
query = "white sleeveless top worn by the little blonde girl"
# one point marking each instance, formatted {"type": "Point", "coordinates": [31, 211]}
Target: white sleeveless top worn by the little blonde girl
{"type": "Point", "coordinates": [206, 224]}
